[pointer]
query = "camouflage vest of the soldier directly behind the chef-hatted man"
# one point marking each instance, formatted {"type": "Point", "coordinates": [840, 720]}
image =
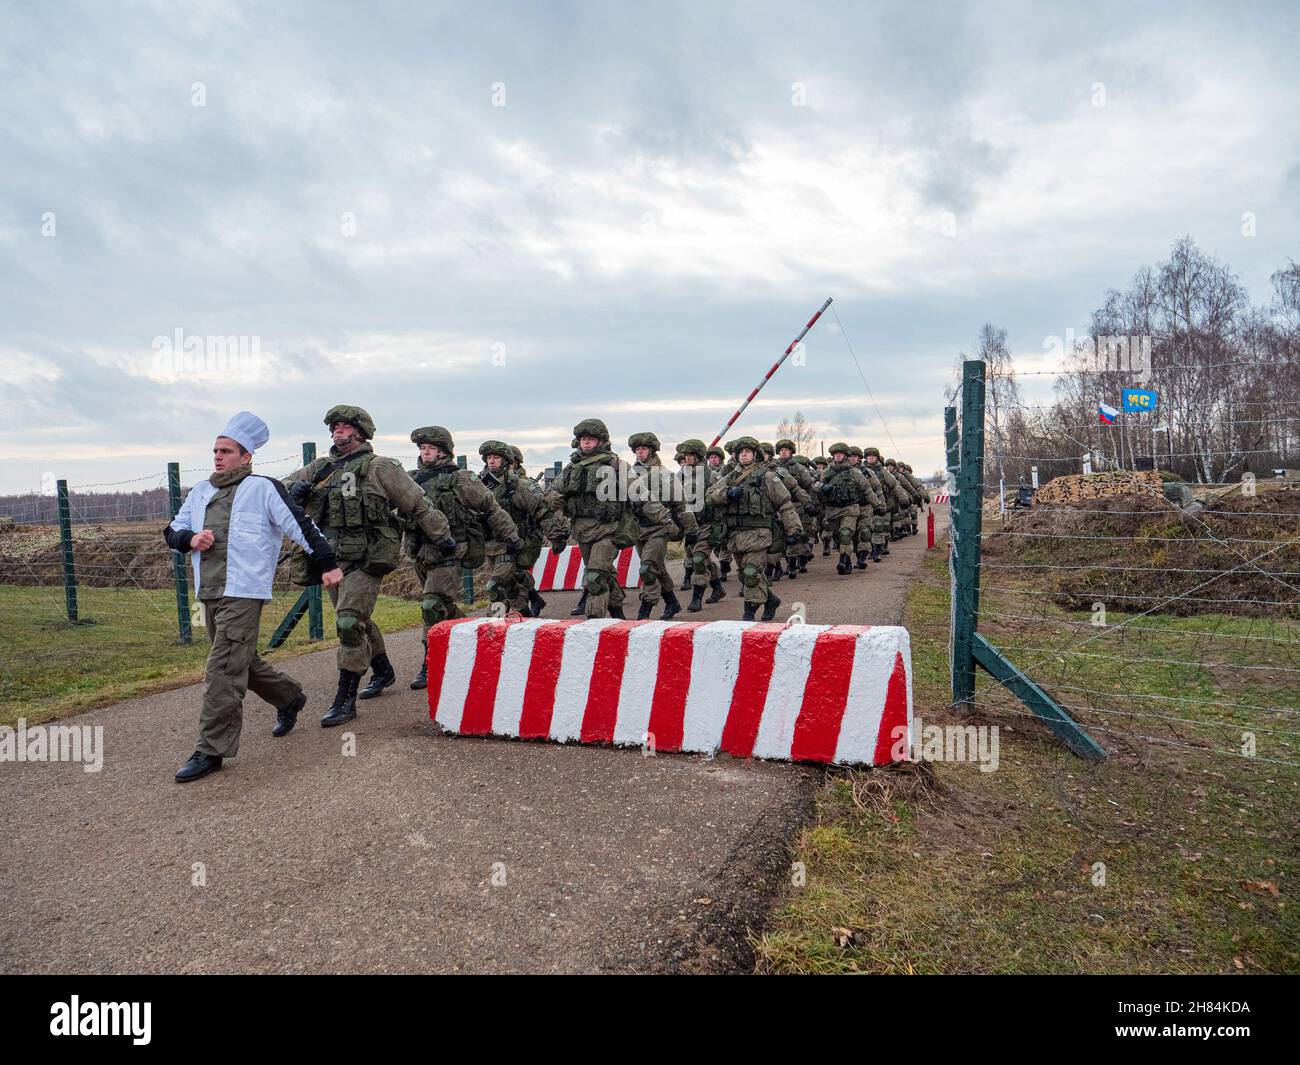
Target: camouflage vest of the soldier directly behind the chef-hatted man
{"type": "Point", "coordinates": [356, 518]}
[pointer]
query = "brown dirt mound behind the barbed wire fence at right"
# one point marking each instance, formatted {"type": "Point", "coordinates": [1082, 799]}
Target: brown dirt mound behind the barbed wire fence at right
{"type": "Point", "coordinates": [1136, 552]}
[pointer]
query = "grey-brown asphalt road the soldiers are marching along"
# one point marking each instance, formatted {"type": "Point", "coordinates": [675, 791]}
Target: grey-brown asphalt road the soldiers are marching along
{"type": "Point", "coordinates": [419, 852]}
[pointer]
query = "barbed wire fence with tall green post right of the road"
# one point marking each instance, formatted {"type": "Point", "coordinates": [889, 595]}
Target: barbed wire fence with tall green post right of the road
{"type": "Point", "coordinates": [1137, 624]}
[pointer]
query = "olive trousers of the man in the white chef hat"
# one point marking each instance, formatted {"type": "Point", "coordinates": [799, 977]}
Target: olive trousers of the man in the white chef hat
{"type": "Point", "coordinates": [233, 670]}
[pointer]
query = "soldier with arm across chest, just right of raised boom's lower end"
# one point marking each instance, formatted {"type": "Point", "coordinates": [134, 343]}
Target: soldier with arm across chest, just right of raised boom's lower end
{"type": "Point", "coordinates": [752, 499]}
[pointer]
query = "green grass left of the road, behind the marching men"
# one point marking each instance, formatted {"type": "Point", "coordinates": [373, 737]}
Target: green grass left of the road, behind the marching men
{"type": "Point", "coordinates": [131, 648]}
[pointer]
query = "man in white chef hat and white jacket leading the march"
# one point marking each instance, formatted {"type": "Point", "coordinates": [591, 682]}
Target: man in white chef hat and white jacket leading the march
{"type": "Point", "coordinates": [233, 525]}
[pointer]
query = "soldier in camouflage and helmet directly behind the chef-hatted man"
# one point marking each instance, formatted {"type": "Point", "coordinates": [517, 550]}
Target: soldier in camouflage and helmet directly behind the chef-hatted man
{"type": "Point", "coordinates": [352, 495]}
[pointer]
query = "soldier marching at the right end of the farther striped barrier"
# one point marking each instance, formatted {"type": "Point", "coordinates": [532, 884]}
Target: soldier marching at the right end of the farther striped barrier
{"type": "Point", "coordinates": [662, 518]}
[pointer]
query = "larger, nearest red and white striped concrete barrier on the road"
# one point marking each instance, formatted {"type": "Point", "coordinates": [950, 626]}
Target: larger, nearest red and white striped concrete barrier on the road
{"type": "Point", "coordinates": [805, 694]}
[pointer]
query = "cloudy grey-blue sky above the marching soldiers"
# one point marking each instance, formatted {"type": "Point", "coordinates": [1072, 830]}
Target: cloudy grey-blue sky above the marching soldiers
{"type": "Point", "coordinates": [508, 218]}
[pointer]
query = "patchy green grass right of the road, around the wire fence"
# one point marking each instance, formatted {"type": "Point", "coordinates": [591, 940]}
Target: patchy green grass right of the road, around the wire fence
{"type": "Point", "coordinates": [946, 869]}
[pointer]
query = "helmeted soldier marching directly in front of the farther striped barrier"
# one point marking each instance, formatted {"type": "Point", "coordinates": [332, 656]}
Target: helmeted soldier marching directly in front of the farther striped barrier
{"type": "Point", "coordinates": [587, 492]}
